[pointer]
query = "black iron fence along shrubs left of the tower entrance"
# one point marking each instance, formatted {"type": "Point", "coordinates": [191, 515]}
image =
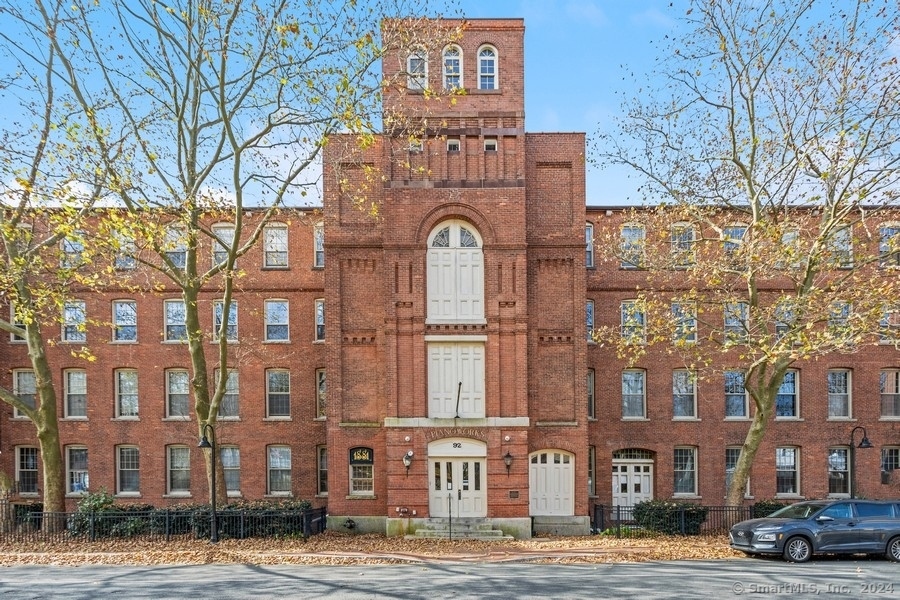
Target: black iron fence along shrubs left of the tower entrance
{"type": "Point", "coordinates": [158, 525]}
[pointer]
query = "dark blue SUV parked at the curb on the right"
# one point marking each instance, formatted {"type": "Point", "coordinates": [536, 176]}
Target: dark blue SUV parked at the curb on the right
{"type": "Point", "coordinates": [823, 527]}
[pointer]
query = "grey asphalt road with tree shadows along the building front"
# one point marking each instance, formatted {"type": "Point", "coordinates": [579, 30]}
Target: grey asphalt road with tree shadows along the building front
{"type": "Point", "coordinates": [823, 578]}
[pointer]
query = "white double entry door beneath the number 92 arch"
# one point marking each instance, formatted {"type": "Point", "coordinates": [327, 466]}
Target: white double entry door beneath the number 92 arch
{"type": "Point", "coordinates": [457, 478]}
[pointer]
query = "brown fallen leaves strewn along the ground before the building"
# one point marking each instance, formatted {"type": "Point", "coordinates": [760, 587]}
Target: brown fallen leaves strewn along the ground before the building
{"type": "Point", "coordinates": [335, 548]}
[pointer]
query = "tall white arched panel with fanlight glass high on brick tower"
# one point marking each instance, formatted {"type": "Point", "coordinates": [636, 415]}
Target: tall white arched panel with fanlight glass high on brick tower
{"type": "Point", "coordinates": [455, 274]}
